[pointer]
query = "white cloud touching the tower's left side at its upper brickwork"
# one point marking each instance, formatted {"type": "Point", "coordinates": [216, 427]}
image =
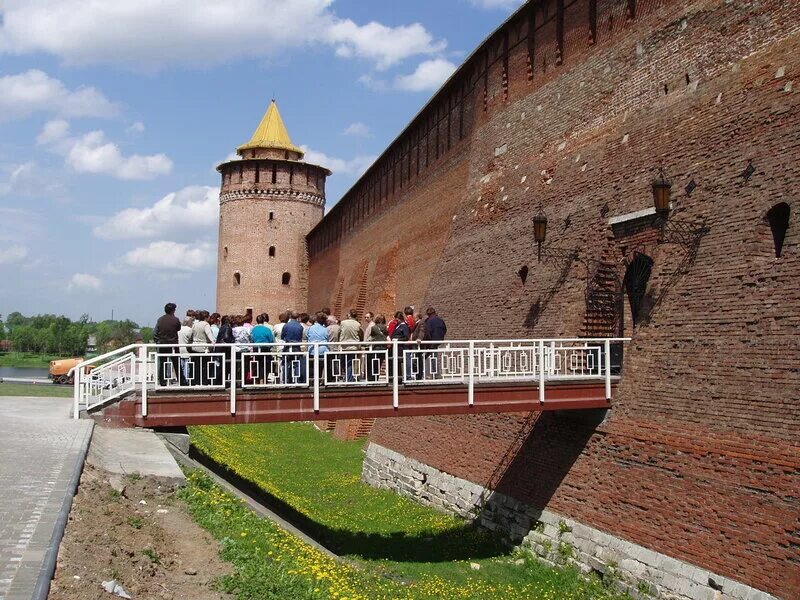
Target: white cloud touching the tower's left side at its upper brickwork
{"type": "Point", "coordinates": [177, 213]}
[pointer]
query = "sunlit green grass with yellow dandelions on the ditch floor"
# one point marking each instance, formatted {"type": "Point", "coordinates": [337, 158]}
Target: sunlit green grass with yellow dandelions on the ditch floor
{"type": "Point", "coordinates": [422, 552]}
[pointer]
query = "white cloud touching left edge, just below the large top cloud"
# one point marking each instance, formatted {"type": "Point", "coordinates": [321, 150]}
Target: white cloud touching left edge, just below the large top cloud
{"type": "Point", "coordinates": [35, 91]}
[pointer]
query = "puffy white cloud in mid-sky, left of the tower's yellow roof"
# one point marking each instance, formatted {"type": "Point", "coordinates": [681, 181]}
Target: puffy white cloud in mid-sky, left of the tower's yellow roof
{"type": "Point", "coordinates": [92, 153]}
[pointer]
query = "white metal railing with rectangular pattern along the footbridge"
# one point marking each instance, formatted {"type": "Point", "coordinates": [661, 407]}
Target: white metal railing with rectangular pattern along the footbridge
{"type": "Point", "coordinates": [154, 368]}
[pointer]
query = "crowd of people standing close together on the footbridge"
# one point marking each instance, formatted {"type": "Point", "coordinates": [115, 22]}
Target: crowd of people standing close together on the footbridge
{"type": "Point", "coordinates": [276, 352]}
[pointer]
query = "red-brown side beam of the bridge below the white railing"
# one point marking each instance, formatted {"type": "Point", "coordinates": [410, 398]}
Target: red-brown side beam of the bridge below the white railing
{"type": "Point", "coordinates": [208, 408]}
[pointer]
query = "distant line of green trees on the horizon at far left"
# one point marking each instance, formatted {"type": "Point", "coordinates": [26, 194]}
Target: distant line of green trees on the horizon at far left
{"type": "Point", "coordinates": [60, 336]}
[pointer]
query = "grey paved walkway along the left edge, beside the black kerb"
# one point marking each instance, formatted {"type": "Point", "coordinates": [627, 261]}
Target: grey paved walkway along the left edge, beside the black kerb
{"type": "Point", "coordinates": [41, 455]}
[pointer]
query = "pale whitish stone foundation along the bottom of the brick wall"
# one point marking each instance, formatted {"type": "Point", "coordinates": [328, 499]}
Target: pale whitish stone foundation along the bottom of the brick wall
{"type": "Point", "coordinates": [555, 539]}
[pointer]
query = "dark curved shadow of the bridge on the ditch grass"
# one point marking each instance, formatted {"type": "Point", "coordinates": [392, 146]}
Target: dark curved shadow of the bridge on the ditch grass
{"type": "Point", "coordinates": [460, 543]}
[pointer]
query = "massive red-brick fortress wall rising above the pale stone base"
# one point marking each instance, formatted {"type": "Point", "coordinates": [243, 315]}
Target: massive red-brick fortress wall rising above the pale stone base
{"type": "Point", "coordinates": [699, 458]}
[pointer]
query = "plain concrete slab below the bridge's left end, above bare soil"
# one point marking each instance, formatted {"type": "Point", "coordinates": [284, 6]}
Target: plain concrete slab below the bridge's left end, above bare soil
{"type": "Point", "coordinates": [126, 451]}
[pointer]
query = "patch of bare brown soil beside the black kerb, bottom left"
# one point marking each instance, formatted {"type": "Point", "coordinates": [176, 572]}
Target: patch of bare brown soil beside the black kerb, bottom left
{"type": "Point", "coordinates": [142, 537]}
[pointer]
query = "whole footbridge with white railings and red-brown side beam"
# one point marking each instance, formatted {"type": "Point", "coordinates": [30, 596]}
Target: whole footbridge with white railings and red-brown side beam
{"type": "Point", "coordinates": [157, 385]}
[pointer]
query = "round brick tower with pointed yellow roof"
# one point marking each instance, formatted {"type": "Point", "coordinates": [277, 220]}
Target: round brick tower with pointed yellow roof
{"type": "Point", "coordinates": [269, 200]}
